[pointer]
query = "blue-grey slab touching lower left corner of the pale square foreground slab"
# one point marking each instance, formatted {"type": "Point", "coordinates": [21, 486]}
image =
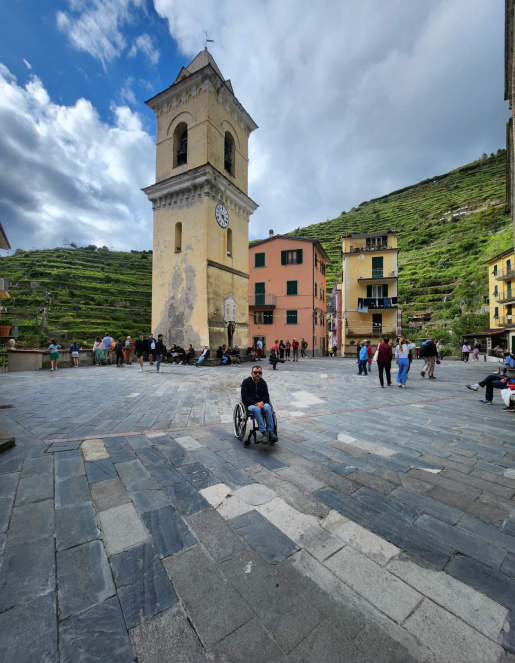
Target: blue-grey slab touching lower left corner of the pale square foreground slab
{"type": "Point", "coordinates": [84, 578]}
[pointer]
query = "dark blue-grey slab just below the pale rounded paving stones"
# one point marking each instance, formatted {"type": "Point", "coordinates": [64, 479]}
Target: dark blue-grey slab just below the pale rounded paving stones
{"type": "Point", "coordinates": [266, 539]}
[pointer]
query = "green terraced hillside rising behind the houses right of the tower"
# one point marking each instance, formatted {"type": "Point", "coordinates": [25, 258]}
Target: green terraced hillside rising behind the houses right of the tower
{"type": "Point", "coordinates": [446, 225]}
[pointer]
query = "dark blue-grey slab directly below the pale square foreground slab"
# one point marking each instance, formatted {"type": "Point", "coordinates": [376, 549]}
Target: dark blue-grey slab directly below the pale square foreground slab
{"type": "Point", "coordinates": [143, 586]}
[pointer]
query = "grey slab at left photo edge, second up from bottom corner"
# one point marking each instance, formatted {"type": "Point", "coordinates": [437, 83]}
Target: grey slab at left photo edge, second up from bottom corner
{"type": "Point", "coordinates": [27, 571]}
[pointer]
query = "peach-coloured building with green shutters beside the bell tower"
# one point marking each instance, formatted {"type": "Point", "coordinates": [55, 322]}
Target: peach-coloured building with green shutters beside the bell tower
{"type": "Point", "coordinates": [287, 292]}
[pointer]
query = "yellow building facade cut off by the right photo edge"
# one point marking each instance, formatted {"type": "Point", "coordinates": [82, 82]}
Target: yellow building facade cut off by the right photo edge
{"type": "Point", "coordinates": [501, 293]}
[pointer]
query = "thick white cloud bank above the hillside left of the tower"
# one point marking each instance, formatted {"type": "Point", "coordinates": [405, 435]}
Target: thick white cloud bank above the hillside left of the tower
{"type": "Point", "coordinates": [66, 173]}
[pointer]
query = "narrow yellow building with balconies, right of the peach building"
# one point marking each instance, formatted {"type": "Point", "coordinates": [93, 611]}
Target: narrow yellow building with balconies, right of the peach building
{"type": "Point", "coordinates": [369, 287]}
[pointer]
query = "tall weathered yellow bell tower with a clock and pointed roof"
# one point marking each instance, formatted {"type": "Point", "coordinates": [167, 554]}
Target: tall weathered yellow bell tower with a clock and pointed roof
{"type": "Point", "coordinates": [200, 269]}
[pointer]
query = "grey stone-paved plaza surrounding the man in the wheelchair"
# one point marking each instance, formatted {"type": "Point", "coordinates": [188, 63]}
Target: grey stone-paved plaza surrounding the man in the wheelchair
{"type": "Point", "coordinates": [135, 526]}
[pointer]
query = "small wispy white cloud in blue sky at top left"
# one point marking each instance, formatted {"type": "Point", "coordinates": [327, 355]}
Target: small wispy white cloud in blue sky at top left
{"type": "Point", "coordinates": [95, 26]}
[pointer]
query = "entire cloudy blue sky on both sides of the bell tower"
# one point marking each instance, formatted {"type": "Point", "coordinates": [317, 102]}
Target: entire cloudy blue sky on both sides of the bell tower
{"type": "Point", "coordinates": [353, 100]}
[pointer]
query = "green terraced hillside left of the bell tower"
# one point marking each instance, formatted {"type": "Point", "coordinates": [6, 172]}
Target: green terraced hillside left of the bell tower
{"type": "Point", "coordinates": [86, 293]}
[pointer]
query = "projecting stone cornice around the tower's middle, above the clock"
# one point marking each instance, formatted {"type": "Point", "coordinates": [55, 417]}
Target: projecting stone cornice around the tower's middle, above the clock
{"type": "Point", "coordinates": [193, 185]}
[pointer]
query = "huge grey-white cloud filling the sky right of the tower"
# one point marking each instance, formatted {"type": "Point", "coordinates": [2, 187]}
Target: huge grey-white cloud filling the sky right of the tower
{"type": "Point", "coordinates": [353, 99]}
